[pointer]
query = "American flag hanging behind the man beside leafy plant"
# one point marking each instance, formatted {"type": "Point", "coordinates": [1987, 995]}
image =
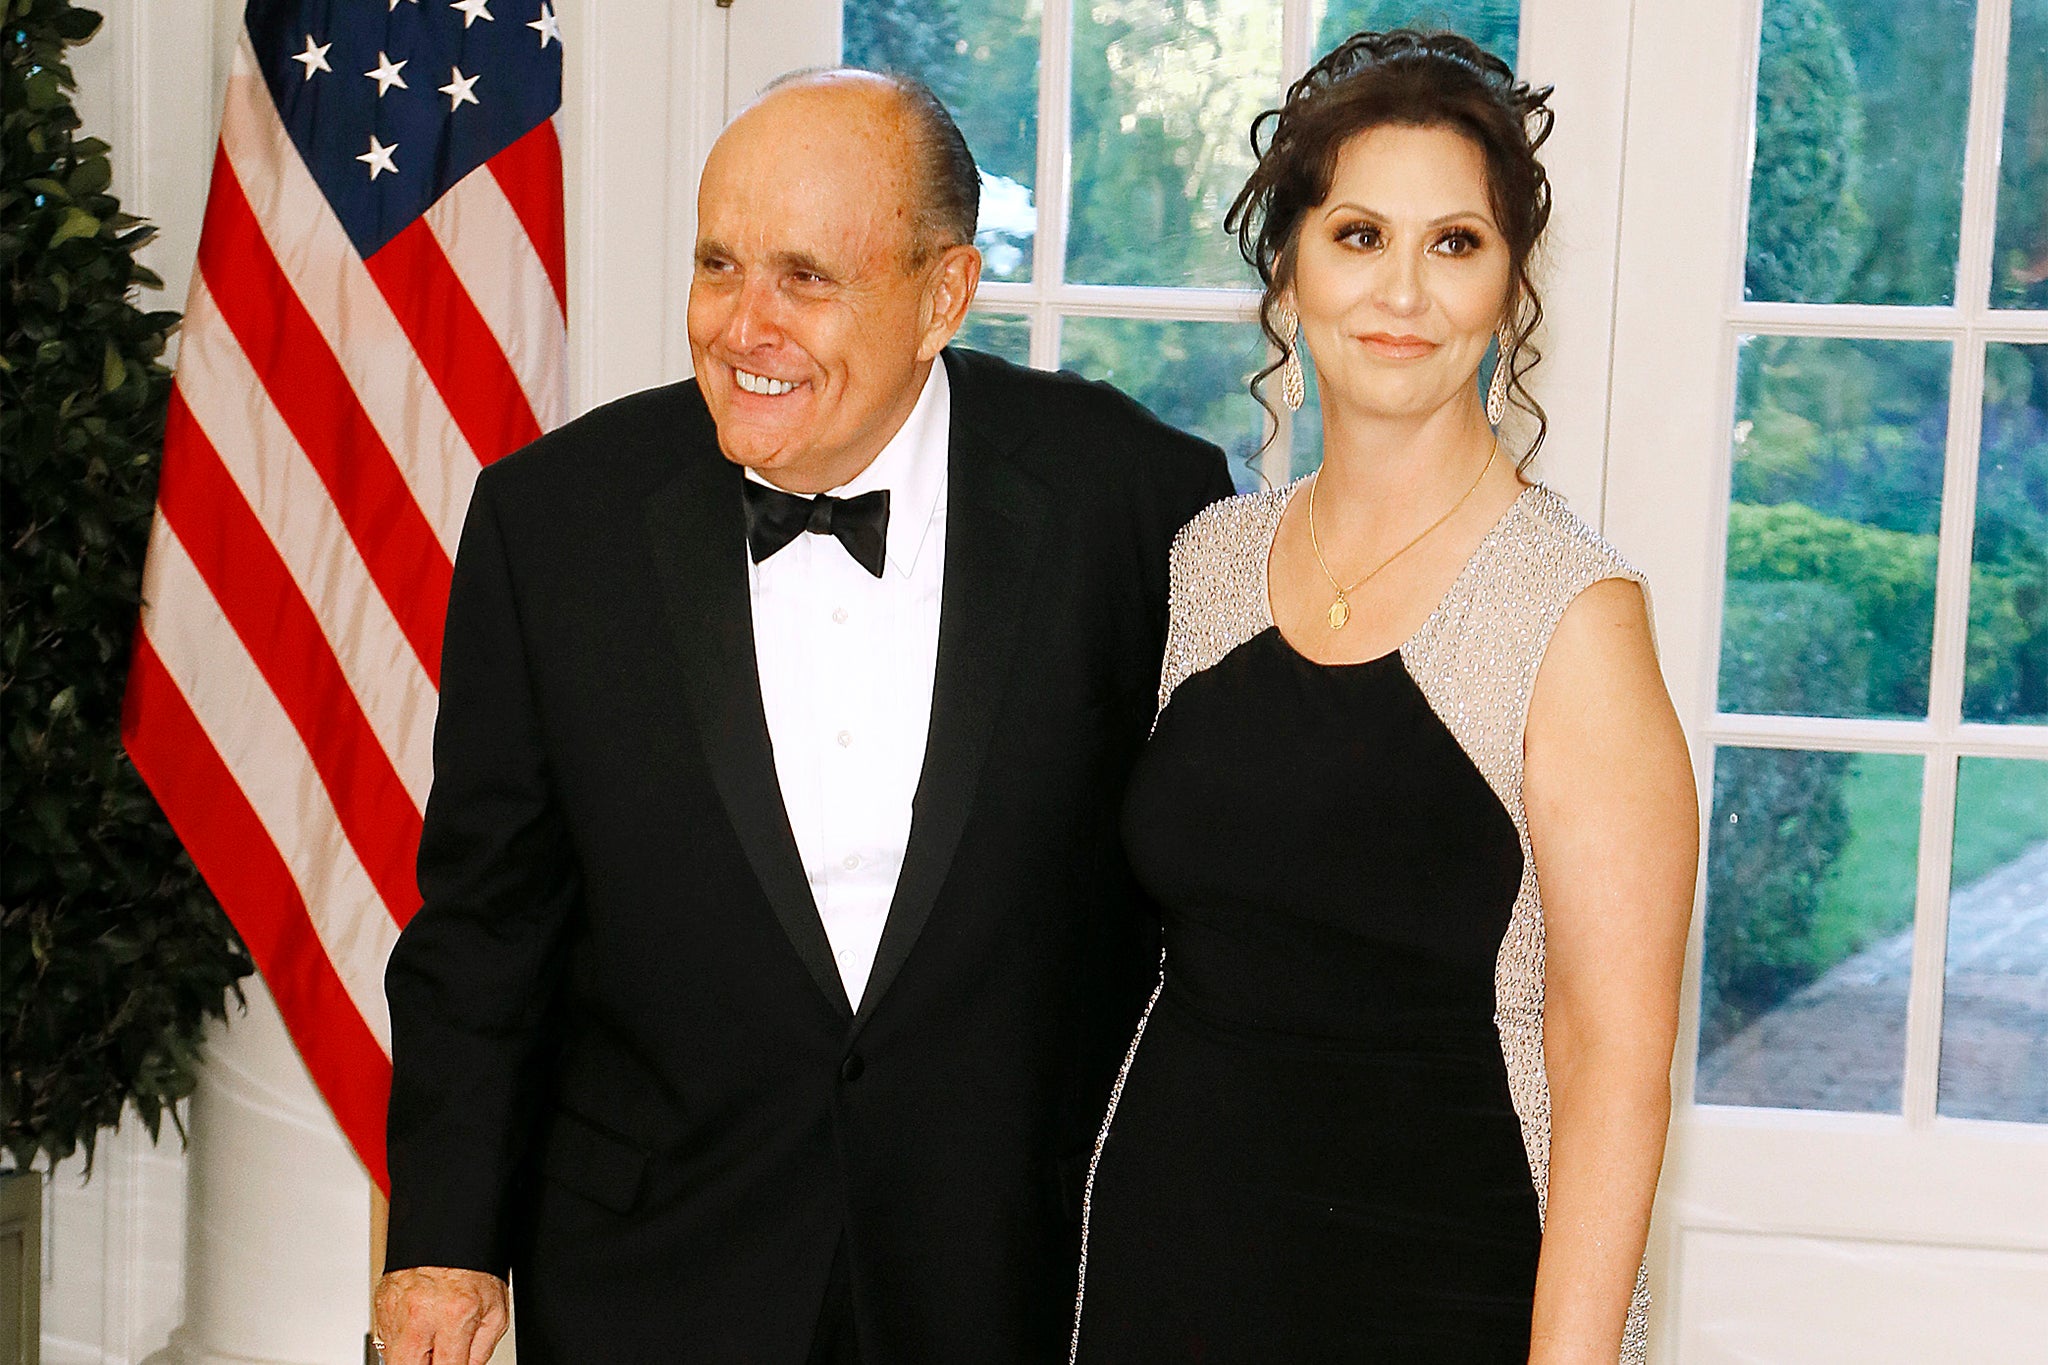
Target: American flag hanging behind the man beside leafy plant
{"type": "Point", "coordinates": [378, 312]}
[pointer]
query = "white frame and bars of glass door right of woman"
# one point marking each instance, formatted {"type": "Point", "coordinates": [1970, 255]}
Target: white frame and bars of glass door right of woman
{"type": "Point", "coordinates": [1842, 1202]}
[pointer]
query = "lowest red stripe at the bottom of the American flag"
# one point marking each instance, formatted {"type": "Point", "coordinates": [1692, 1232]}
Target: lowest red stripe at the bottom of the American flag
{"type": "Point", "coordinates": [245, 871]}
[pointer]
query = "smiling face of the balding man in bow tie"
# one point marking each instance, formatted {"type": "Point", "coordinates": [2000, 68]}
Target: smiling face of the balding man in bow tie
{"type": "Point", "coordinates": [810, 331]}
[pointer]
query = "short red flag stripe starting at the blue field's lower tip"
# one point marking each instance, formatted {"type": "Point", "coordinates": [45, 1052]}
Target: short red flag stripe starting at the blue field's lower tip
{"type": "Point", "coordinates": [454, 343]}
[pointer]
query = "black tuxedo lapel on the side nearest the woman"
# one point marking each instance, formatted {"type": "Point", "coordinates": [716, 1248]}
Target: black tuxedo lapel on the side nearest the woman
{"type": "Point", "coordinates": [994, 527]}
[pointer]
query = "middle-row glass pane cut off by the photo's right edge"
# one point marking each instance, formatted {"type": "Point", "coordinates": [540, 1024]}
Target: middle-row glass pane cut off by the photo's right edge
{"type": "Point", "coordinates": [2008, 660]}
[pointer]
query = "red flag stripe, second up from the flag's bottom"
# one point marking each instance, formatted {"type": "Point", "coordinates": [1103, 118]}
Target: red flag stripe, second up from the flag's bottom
{"type": "Point", "coordinates": [253, 586]}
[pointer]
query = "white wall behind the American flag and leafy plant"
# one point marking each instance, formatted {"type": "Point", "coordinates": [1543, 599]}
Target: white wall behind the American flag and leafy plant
{"type": "Point", "coordinates": [275, 1266]}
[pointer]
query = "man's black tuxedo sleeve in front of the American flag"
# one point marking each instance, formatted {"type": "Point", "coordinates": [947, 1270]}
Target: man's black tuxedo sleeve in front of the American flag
{"type": "Point", "coordinates": [474, 975]}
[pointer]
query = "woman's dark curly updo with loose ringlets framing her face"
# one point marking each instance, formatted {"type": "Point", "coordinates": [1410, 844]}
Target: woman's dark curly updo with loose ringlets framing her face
{"type": "Point", "coordinates": [1418, 81]}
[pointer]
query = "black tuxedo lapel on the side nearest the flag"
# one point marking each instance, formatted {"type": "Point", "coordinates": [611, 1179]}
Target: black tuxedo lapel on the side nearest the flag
{"type": "Point", "coordinates": [697, 533]}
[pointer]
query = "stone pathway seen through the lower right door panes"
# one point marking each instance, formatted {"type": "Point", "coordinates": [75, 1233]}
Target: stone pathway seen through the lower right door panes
{"type": "Point", "coordinates": [1840, 1043]}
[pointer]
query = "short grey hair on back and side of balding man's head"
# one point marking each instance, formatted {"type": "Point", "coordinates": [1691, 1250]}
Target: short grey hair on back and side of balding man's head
{"type": "Point", "coordinates": [943, 181]}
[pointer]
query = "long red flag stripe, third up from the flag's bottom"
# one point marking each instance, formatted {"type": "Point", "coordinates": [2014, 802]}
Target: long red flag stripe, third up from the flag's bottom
{"type": "Point", "coordinates": [318, 404]}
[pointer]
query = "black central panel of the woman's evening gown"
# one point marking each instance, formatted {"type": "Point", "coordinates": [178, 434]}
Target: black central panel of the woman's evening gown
{"type": "Point", "coordinates": [1316, 1155]}
